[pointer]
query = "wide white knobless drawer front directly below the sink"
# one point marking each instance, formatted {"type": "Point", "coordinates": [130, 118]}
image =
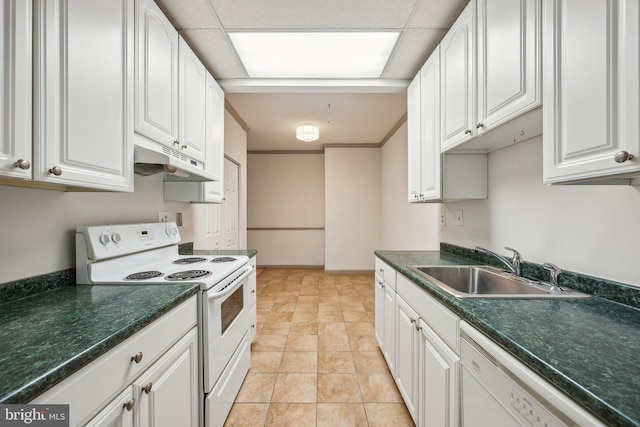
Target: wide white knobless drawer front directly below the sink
{"type": "Point", "coordinates": [440, 318]}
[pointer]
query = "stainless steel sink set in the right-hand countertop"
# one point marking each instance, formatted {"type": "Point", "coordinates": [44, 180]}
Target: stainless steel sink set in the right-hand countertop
{"type": "Point", "coordinates": [467, 281]}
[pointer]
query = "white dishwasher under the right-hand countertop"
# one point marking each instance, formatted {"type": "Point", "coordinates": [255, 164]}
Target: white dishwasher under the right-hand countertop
{"type": "Point", "coordinates": [498, 390]}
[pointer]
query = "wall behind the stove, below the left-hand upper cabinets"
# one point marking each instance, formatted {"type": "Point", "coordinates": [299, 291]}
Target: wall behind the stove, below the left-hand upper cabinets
{"type": "Point", "coordinates": [38, 226]}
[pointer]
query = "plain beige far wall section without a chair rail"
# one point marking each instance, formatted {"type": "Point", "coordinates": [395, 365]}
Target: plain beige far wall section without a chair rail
{"type": "Point", "coordinates": [352, 208]}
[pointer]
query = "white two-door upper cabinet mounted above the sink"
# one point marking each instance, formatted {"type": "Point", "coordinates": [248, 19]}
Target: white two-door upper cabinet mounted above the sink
{"type": "Point", "coordinates": [491, 76]}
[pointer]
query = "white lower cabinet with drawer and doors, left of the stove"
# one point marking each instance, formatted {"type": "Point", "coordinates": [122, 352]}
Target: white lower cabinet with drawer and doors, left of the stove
{"type": "Point", "coordinates": [150, 379]}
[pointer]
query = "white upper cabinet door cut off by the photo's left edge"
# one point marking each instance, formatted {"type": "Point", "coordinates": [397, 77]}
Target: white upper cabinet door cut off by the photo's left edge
{"type": "Point", "coordinates": [15, 89]}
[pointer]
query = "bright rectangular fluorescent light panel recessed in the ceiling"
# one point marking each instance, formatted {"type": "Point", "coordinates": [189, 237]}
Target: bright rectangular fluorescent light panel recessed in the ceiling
{"type": "Point", "coordinates": [314, 55]}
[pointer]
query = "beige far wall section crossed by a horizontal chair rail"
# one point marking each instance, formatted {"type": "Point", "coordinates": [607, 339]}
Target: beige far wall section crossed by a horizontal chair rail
{"type": "Point", "coordinates": [286, 208]}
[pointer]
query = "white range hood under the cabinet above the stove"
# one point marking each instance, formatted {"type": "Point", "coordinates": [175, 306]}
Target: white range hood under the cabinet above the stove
{"type": "Point", "coordinates": [151, 158]}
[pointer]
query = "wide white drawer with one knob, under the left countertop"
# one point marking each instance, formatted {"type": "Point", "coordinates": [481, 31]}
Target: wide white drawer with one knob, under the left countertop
{"type": "Point", "coordinates": [100, 381]}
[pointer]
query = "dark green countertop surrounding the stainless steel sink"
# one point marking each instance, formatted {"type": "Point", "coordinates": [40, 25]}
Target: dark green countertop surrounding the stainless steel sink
{"type": "Point", "coordinates": [588, 348]}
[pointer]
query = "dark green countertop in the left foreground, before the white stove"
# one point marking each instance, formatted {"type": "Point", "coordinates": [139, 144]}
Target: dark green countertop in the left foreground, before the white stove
{"type": "Point", "coordinates": [46, 337]}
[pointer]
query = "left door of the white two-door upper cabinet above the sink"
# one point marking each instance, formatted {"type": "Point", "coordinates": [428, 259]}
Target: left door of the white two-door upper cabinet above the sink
{"type": "Point", "coordinates": [457, 81]}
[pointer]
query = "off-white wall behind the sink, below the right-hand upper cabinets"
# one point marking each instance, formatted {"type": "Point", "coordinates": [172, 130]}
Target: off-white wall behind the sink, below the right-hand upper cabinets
{"type": "Point", "coordinates": [584, 228]}
